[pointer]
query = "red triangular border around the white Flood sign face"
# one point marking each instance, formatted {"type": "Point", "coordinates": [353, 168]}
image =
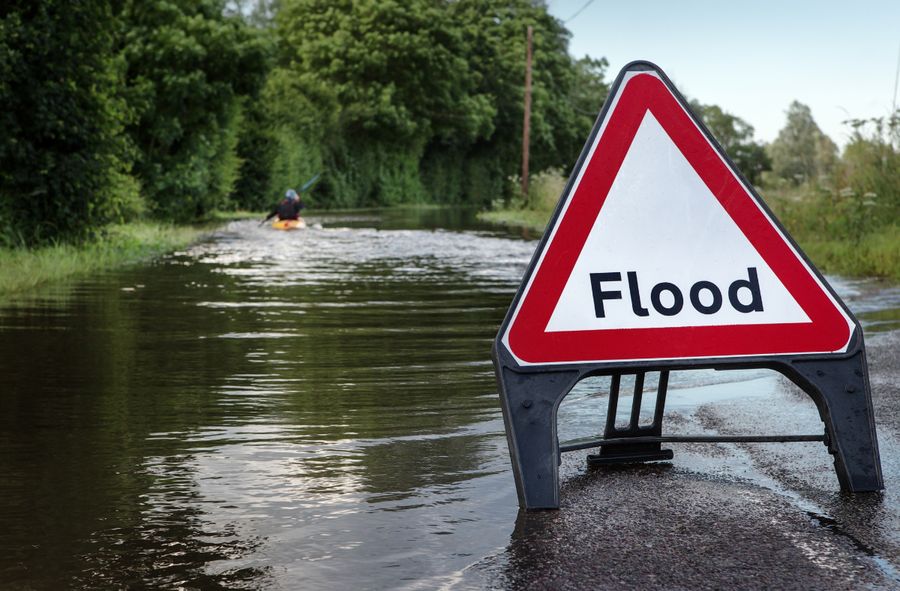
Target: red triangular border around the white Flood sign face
{"type": "Point", "coordinates": [829, 329]}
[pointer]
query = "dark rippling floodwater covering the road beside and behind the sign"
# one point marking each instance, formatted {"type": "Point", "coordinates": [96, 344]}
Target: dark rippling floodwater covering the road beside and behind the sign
{"type": "Point", "coordinates": [300, 410]}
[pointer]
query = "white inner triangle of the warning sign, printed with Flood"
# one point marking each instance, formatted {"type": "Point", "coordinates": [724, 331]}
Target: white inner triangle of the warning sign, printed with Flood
{"type": "Point", "coordinates": [662, 226]}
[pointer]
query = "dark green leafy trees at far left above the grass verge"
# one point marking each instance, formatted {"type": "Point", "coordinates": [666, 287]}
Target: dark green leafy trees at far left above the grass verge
{"type": "Point", "coordinates": [113, 109]}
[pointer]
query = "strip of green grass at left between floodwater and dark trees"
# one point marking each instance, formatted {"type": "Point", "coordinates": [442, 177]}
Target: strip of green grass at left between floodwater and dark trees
{"type": "Point", "coordinates": [22, 270]}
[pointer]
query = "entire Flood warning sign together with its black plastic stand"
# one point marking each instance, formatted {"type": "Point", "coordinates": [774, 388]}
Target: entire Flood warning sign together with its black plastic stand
{"type": "Point", "coordinates": [660, 256]}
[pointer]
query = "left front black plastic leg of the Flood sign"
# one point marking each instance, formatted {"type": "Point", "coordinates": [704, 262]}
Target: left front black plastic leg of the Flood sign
{"type": "Point", "coordinates": [530, 402]}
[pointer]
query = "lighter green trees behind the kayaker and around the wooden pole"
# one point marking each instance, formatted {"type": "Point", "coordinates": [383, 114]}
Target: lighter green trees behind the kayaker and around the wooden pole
{"type": "Point", "coordinates": [421, 100]}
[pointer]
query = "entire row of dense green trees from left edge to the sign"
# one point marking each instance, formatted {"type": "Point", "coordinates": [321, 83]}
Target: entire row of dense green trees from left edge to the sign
{"type": "Point", "coordinates": [118, 109]}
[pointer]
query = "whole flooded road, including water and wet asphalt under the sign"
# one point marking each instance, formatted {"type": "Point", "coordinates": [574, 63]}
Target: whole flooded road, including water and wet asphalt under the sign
{"type": "Point", "coordinates": [317, 410]}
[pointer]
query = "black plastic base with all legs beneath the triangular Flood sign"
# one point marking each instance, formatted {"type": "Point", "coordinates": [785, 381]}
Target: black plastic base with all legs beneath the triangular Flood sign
{"type": "Point", "coordinates": [530, 399]}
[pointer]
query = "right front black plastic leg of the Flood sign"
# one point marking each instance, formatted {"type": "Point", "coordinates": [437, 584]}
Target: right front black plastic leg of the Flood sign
{"type": "Point", "coordinates": [840, 388]}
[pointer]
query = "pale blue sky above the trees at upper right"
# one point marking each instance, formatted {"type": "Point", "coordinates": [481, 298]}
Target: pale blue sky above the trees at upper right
{"type": "Point", "coordinates": [753, 58]}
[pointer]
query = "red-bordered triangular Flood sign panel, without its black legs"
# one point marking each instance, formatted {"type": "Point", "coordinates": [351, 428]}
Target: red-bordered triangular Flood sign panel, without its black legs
{"type": "Point", "coordinates": [660, 251]}
